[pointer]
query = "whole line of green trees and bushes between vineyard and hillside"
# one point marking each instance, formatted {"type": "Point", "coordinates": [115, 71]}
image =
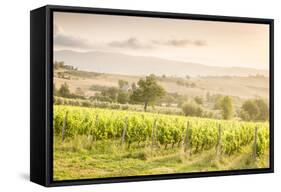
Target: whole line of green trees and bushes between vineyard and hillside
{"type": "Point", "coordinates": [148, 92]}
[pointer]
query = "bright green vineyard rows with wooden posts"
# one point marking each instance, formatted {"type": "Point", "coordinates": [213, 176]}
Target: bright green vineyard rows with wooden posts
{"type": "Point", "coordinates": [159, 131]}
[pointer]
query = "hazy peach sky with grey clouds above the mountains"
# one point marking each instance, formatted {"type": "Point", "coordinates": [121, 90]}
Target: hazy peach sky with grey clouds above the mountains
{"type": "Point", "coordinates": [205, 42]}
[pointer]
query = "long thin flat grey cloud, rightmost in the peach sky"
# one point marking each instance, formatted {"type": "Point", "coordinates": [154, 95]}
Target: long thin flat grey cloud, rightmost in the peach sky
{"type": "Point", "coordinates": [180, 42]}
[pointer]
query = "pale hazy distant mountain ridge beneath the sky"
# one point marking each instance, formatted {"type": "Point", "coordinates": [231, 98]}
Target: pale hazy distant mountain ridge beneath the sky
{"type": "Point", "coordinates": [117, 63]}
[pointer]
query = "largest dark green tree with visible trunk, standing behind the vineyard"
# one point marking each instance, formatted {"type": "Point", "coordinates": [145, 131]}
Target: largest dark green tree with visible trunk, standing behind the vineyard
{"type": "Point", "coordinates": [148, 91]}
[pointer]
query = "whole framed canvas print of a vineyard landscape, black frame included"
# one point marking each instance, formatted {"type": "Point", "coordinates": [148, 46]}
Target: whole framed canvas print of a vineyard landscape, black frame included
{"type": "Point", "coordinates": [123, 95]}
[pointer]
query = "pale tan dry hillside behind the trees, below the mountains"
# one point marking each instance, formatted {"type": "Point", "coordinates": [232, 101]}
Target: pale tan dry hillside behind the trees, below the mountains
{"type": "Point", "coordinates": [244, 87]}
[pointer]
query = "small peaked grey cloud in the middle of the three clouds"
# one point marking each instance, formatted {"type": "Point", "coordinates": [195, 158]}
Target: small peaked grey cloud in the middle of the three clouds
{"type": "Point", "coordinates": [132, 43]}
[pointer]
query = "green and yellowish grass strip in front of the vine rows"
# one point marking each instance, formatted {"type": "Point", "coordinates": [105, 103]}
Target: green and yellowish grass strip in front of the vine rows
{"type": "Point", "coordinates": [83, 158]}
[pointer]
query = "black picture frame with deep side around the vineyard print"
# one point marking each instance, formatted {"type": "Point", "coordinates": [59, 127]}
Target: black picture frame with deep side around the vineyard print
{"type": "Point", "coordinates": [41, 99]}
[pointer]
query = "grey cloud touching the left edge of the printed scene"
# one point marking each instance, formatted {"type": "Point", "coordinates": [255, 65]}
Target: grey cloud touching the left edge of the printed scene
{"type": "Point", "coordinates": [63, 39]}
